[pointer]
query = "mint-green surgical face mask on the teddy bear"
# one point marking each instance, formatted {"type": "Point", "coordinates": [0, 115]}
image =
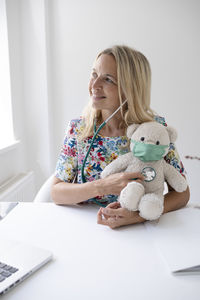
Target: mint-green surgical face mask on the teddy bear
{"type": "Point", "coordinates": [148, 152]}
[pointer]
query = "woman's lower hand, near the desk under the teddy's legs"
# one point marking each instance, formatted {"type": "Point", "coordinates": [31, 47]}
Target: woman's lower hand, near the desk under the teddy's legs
{"type": "Point", "coordinates": [115, 216]}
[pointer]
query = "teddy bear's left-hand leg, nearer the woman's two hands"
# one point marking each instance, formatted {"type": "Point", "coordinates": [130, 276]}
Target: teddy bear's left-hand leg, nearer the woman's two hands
{"type": "Point", "coordinates": [131, 195]}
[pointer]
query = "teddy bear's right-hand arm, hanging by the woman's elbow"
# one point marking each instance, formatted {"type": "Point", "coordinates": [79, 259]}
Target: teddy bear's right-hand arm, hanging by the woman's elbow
{"type": "Point", "coordinates": [174, 178]}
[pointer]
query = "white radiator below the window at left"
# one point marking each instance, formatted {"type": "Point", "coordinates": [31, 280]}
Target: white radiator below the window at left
{"type": "Point", "coordinates": [18, 189]}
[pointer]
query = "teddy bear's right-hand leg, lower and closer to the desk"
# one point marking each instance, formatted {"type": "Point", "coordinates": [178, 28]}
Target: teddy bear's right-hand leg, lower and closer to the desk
{"type": "Point", "coordinates": [151, 206]}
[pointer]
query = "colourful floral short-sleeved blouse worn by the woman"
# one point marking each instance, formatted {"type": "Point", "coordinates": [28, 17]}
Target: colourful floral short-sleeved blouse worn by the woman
{"type": "Point", "coordinates": [103, 152]}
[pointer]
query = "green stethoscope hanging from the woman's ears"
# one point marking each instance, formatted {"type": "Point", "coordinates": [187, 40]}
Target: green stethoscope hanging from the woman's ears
{"type": "Point", "coordinates": [96, 131]}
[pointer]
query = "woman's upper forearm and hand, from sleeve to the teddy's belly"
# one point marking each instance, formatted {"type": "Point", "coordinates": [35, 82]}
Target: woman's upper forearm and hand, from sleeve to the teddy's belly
{"type": "Point", "coordinates": [73, 193]}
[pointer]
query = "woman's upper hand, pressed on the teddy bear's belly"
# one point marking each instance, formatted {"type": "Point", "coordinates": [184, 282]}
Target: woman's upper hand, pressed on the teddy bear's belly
{"type": "Point", "coordinates": [115, 183]}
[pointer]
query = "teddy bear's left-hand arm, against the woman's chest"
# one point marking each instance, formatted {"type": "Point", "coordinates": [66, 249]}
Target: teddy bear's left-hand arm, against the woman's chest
{"type": "Point", "coordinates": [117, 165]}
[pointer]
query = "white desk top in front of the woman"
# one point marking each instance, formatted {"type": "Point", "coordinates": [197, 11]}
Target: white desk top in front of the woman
{"type": "Point", "coordinates": [91, 261]}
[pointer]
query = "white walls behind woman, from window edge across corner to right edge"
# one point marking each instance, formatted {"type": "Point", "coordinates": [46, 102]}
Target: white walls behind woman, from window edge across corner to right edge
{"type": "Point", "coordinates": [57, 41]}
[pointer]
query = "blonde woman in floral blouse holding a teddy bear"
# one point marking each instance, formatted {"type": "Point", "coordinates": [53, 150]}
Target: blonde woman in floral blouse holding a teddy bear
{"type": "Point", "coordinates": [119, 73]}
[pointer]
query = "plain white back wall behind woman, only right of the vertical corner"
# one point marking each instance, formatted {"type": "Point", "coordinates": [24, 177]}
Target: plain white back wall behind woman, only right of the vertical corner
{"type": "Point", "coordinates": [167, 32]}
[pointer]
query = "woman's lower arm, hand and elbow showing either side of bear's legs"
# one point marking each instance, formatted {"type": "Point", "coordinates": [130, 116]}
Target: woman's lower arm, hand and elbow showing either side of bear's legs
{"type": "Point", "coordinates": [115, 216]}
